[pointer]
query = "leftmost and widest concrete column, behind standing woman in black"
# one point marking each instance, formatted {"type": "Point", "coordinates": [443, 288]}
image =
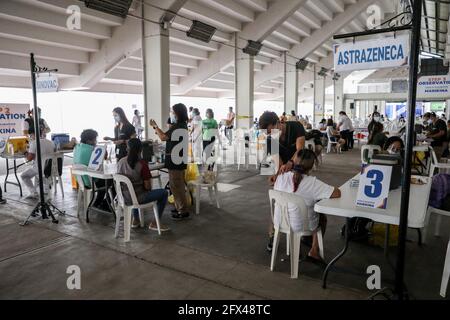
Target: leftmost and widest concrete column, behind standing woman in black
{"type": "Point", "coordinates": [156, 72]}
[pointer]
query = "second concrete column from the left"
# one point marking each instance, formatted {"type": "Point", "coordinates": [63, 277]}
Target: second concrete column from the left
{"type": "Point", "coordinates": [244, 86]}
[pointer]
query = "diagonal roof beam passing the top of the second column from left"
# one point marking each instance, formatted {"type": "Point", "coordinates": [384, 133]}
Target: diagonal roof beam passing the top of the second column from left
{"type": "Point", "coordinates": [266, 23]}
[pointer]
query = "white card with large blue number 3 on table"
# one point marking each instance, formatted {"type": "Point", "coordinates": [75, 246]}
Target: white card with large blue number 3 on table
{"type": "Point", "coordinates": [374, 183]}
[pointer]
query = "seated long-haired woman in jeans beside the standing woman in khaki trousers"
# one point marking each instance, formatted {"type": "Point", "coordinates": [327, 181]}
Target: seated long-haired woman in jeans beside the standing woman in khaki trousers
{"type": "Point", "coordinates": [138, 172]}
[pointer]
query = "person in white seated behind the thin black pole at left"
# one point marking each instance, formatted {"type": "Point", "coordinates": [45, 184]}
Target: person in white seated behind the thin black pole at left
{"type": "Point", "coordinates": [47, 149]}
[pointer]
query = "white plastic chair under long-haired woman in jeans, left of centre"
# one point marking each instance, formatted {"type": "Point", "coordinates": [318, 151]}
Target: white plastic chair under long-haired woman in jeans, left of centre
{"type": "Point", "coordinates": [124, 210]}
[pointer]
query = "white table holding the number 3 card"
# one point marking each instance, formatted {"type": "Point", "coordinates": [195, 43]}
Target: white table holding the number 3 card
{"type": "Point", "coordinates": [346, 207]}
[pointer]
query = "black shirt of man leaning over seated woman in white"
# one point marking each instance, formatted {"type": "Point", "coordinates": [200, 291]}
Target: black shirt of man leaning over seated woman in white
{"type": "Point", "coordinates": [288, 145]}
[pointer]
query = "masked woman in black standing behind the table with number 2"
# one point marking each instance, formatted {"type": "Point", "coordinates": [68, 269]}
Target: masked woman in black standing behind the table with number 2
{"type": "Point", "coordinates": [123, 132]}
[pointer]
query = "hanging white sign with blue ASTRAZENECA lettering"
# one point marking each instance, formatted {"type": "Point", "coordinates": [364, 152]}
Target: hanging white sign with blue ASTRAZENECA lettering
{"type": "Point", "coordinates": [372, 54]}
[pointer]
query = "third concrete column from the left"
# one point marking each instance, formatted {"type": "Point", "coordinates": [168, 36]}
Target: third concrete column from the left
{"type": "Point", "coordinates": [290, 85]}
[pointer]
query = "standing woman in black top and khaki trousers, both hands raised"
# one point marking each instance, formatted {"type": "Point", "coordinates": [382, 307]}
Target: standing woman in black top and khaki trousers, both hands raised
{"type": "Point", "coordinates": [179, 117]}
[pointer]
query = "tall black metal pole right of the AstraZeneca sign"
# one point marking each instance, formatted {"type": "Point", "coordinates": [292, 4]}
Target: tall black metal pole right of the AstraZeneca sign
{"type": "Point", "coordinates": [406, 181]}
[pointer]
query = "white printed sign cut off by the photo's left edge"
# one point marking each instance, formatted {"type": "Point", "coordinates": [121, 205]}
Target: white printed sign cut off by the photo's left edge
{"type": "Point", "coordinates": [11, 119]}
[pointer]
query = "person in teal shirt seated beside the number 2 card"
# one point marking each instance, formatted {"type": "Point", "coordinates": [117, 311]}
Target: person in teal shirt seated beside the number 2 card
{"type": "Point", "coordinates": [82, 155]}
